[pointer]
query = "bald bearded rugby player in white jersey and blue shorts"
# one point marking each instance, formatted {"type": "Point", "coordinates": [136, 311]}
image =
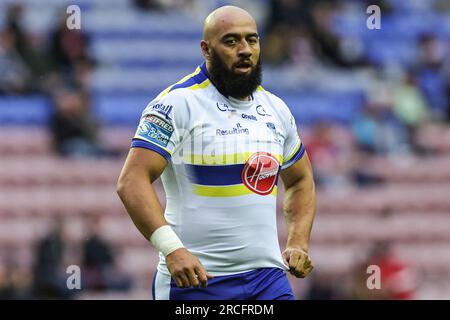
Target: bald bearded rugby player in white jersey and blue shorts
{"type": "Point", "coordinates": [220, 142]}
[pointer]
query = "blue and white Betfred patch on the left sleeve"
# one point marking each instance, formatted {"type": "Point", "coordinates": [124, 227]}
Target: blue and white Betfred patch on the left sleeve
{"type": "Point", "coordinates": [155, 129]}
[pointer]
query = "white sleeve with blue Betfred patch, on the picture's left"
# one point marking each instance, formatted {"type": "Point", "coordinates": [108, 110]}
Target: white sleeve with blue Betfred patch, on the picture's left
{"type": "Point", "coordinates": [160, 125]}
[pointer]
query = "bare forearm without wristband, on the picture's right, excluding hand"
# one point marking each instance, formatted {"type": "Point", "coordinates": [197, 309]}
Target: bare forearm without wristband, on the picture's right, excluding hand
{"type": "Point", "coordinates": [299, 212]}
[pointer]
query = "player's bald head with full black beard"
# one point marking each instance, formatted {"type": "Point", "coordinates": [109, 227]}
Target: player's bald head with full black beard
{"type": "Point", "coordinates": [231, 49]}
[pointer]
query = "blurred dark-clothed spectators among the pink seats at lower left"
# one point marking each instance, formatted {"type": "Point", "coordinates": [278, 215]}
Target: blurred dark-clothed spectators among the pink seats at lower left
{"type": "Point", "coordinates": [47, 279]}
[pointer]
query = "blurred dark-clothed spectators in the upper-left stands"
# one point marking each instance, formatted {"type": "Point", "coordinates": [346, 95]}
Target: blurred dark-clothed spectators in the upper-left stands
{"type": "Point", "coordinates": [59, 67]}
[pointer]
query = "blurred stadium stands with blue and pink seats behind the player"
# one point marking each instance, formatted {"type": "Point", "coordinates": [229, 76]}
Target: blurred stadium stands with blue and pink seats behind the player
{"type": "Point", "coordinates": [372, 107]}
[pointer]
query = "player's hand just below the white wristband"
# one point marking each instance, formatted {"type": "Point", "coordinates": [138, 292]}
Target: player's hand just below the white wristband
{"type": "Point", "coordinates": [186, 269]}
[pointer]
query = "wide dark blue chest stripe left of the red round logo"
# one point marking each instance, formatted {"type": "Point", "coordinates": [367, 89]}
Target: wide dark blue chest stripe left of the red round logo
{"type": "Point", "coordinates": [216, 175]}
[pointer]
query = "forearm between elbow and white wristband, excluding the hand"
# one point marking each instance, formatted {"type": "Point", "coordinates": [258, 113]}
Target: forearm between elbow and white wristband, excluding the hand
{"type": "Point", "coordinates": [142, 204]}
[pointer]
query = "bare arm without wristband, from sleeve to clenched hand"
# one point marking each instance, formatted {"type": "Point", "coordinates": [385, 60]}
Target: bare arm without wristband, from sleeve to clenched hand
{"type": "Point", "coordinates": [299, 211]}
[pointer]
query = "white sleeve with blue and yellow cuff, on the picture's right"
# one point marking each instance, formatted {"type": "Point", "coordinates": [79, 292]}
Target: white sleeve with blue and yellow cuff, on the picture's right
{"type": "Point", "coordinates": [293, 149]}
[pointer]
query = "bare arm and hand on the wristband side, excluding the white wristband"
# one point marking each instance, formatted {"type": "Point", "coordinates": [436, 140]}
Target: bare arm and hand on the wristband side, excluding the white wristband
{"type": "Point", "coordinates": [134, 187]}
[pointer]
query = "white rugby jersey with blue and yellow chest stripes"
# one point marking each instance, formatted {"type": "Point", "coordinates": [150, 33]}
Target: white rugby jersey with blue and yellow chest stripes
{"type": "Point", "coordinates": [224, 157]}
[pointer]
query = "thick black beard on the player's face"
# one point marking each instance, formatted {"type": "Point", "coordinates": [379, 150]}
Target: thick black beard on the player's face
{"type": "Point", "coordinates": [230, 83]}
